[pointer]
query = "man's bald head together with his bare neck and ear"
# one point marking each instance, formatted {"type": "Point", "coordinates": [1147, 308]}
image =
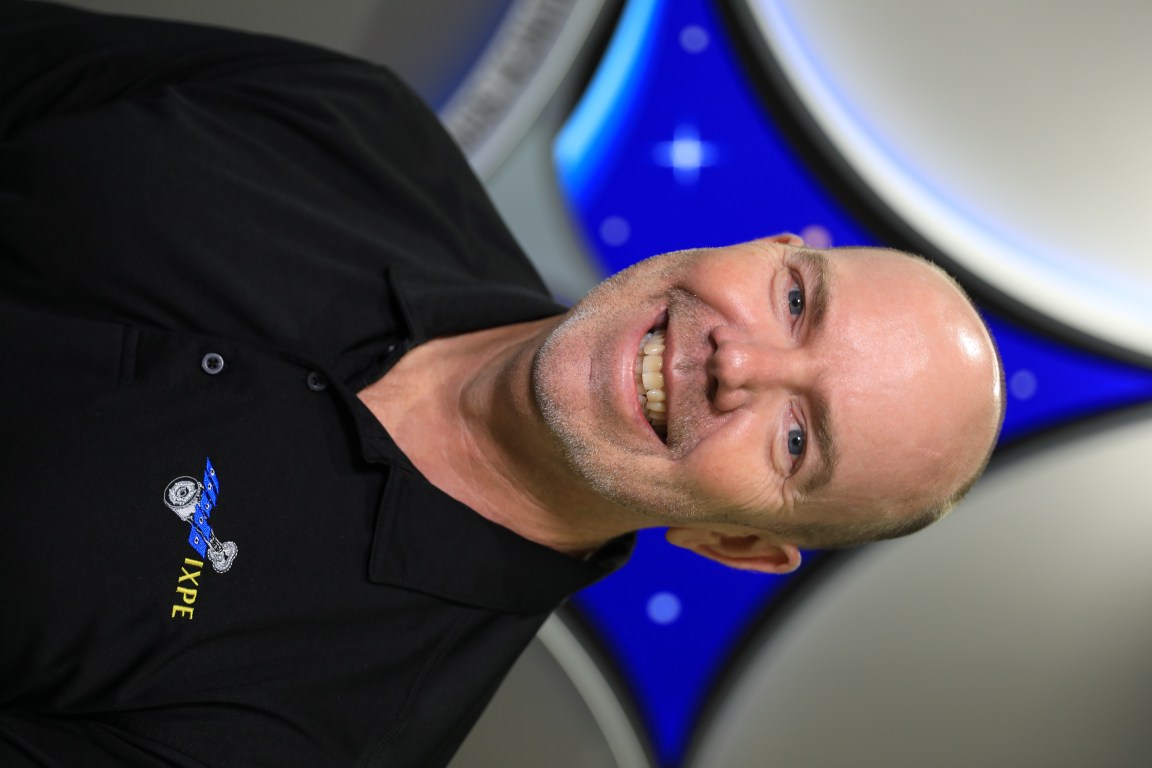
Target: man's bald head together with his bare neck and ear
{"type": "Point", "coordinates": [805, 399]}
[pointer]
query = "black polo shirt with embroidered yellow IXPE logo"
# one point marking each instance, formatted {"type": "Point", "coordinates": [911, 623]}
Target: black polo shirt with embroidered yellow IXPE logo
{"type": "Point", "coordinates": [215, 556]}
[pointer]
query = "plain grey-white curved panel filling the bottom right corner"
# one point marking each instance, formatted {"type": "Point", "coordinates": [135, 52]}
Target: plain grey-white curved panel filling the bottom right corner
{"type": "Point", "coordinates": [1015, 633]}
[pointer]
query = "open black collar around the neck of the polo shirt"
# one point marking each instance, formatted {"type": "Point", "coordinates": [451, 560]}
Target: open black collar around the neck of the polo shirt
{"type": "Point", "coordinates": [426, 541]}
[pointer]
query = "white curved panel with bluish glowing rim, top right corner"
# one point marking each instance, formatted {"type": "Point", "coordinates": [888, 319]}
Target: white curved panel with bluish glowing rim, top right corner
{"type": "Point", "coordinates": [1012, 135]}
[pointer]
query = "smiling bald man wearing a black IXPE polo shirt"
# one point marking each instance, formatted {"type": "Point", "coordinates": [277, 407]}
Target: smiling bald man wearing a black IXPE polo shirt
{"type": "Point", "coordinates": [299, 452]}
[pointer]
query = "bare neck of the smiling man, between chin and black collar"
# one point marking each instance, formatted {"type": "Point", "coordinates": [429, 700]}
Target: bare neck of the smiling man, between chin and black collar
{"type": "Point", "coordinates": [463, 410]}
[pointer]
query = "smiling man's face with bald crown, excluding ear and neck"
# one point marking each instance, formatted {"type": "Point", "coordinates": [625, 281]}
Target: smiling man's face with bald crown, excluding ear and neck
{"type": "Point", "coordinates": [800, 386]}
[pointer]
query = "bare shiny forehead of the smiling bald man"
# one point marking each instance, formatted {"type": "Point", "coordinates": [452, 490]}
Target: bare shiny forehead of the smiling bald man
{"type": "Point", "coordinates": [893, 391]}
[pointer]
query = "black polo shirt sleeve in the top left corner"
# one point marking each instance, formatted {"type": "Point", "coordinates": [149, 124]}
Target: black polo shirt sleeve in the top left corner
{"type": "Point", "coordinates": [59, 62]}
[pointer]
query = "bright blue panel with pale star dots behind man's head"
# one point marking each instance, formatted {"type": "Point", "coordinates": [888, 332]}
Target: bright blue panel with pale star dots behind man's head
{"type": "Point", "coordinates": [672, 148]}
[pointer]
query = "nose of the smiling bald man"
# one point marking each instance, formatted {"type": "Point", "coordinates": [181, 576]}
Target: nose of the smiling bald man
{"type": "Point", "coordinates": [745, 368]}
